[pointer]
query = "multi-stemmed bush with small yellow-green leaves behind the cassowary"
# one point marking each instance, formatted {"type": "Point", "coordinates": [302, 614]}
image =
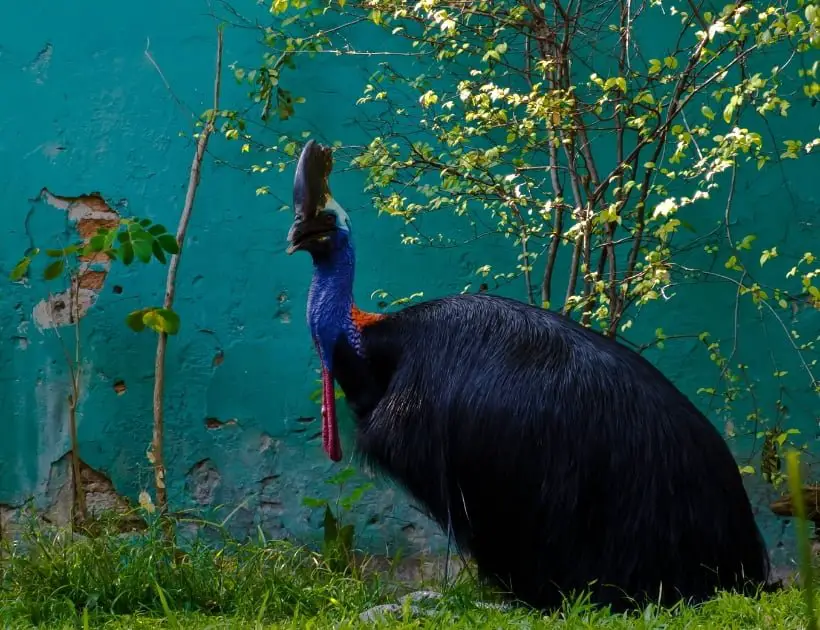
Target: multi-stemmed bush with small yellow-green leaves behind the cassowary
{"type": "Point", "coordinates": [607, 156]}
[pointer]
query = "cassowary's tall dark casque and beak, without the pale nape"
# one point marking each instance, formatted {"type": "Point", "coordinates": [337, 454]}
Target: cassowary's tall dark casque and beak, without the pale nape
{"type": "Point", "coordinates": [311, 192]}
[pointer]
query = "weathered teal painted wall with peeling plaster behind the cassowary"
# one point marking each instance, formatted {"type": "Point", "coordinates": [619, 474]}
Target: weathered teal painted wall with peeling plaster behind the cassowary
{"type": "Point", "coordinates": [83, 110]}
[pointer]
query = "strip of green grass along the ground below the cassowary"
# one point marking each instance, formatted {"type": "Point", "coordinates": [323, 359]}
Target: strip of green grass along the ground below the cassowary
{"type": "Point", "coordinates": [142, 581]}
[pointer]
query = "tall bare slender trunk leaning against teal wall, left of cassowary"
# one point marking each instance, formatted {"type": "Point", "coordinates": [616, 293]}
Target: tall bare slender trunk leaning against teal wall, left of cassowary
{"type": "Point", "coordinates": [170, 289]}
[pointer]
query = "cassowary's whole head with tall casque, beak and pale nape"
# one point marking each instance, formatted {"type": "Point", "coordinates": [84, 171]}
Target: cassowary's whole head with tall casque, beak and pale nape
{"type": "Point", "coordinates": [320, 225]}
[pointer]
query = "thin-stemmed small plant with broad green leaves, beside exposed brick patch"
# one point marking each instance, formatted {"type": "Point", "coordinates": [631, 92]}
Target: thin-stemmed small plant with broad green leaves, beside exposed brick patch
{"type": "Point", "coordinates": [130, 240]}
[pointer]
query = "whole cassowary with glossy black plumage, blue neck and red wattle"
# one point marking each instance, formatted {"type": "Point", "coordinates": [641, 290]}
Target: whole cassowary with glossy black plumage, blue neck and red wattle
{"type": "Point", "coordinates": [560, 460]}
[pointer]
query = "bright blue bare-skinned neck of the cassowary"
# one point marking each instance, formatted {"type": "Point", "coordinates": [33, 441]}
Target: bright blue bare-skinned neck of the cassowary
{"type": "Point", "coordinates": [330, 302]}
